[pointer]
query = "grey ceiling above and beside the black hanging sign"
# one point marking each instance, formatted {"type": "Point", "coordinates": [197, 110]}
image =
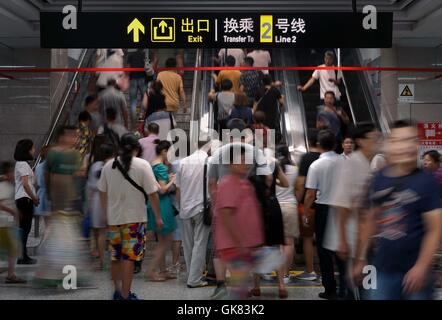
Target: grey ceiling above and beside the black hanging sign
{"type": "Point", "coordinates": [416, 22]}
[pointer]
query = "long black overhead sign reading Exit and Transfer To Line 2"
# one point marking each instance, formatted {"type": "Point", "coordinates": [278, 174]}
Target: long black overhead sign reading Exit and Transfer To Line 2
{"type": "Point", "coordinates": [217, 30]}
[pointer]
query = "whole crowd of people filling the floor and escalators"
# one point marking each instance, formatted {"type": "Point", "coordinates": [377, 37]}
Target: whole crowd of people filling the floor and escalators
{"type": "Point", "coordinates": [357, 197]}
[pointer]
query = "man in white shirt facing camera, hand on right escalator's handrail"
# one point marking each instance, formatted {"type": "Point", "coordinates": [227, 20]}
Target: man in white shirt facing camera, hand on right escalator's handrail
{"type": "Point", "coordinates": [329, 80]}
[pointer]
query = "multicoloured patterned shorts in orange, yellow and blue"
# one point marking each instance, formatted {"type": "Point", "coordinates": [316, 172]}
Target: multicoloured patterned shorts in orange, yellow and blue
{"type": "Point", "coordinates": [127, 241]}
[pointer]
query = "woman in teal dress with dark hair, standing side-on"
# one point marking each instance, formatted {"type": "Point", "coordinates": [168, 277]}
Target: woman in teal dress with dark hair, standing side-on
{"type": "Point", "coordinates": [165, 181]}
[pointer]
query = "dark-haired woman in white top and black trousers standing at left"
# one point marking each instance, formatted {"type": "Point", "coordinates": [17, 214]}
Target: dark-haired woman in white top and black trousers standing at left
{"type": "Point", "coordinates": [25, 195]}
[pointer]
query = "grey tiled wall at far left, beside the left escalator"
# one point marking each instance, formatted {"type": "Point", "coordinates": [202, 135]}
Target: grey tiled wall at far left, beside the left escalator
{"type": "Point", "coordinates": [24, 100]}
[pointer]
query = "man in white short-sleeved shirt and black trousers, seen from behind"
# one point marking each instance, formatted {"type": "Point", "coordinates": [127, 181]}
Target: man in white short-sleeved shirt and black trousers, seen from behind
{"type": "Point", "coordinates": [319, 186]}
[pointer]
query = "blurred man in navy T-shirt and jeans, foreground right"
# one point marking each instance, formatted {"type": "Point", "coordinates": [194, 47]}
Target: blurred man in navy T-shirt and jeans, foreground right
{"type": "Point", "coordinates": [404, 224]}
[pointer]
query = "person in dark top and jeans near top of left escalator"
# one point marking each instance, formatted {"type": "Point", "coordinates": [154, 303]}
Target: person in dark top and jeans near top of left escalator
{"type": "Point", "coordinates": [138, 81]}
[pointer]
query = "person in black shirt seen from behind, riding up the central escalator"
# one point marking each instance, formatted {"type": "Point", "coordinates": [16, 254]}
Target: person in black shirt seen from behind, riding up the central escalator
{"type": "Point", "coordinates": [269, 100]}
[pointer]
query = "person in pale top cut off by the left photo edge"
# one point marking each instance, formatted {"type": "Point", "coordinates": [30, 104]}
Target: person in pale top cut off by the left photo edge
{"type": "Point", "coordinates": [9, 242]}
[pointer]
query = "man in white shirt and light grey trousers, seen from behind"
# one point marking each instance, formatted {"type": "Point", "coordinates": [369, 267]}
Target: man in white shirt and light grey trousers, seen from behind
{"type": "Point", "coordinates": [189, 183]}
